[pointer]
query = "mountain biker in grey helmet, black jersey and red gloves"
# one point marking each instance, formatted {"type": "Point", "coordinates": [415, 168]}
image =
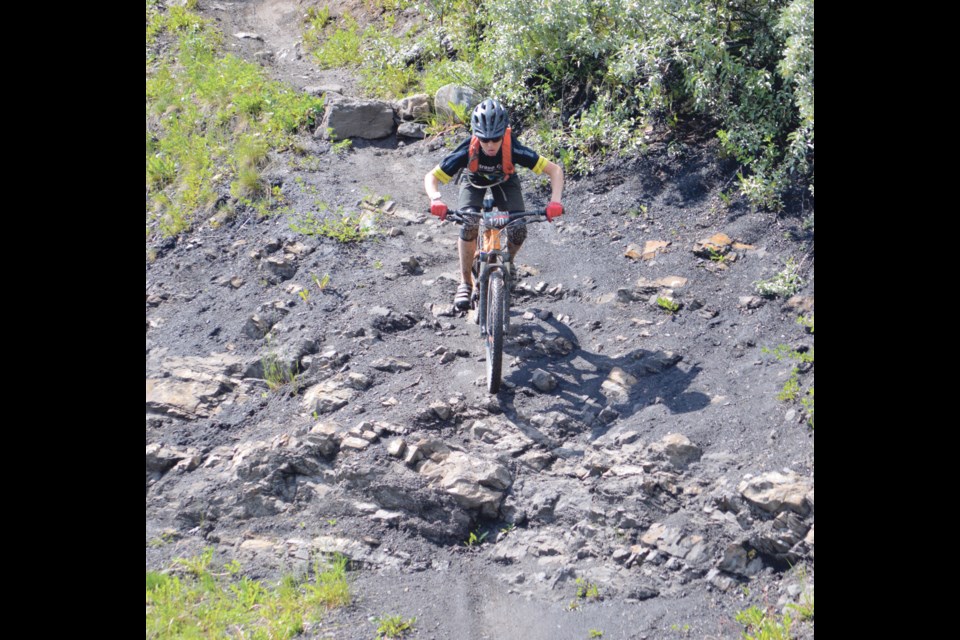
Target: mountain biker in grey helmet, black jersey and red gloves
{"type": "Point", "coordinates": [488, 159]}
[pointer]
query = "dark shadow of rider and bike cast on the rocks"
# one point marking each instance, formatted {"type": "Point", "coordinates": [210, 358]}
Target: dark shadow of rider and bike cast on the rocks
{"type": "Point", "coordinates": [598, 389]}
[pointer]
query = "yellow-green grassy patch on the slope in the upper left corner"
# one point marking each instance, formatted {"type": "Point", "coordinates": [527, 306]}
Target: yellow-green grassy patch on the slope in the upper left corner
{"type": "Point", "coordinates": [211, 118]}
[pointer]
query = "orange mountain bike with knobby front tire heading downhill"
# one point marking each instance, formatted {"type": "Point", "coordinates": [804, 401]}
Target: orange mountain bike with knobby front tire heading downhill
{"type": "Point", "coordinates": [493, 273]}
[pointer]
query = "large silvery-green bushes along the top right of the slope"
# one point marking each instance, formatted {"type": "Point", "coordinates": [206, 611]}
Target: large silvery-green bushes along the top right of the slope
{"type": "Point", "coordinates": [592, 76]}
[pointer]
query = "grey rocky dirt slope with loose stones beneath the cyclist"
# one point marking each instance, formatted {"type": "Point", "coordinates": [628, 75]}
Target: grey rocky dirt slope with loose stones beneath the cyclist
{"type": "Point", "coordinates": [634, 449]}
